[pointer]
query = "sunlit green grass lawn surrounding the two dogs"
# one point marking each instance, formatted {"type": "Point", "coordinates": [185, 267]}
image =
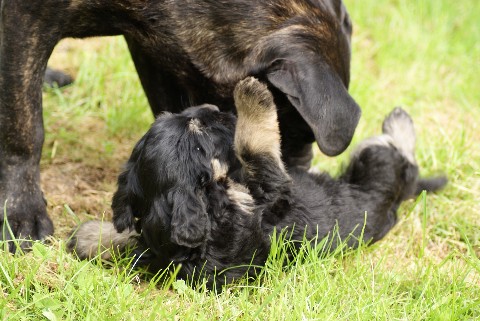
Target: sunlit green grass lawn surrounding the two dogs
{"type": "Point", "coordinates": [423, 55]}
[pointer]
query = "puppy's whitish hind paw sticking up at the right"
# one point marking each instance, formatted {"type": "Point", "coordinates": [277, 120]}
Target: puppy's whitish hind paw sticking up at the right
{"type": "Point", "coordinates": [399, 126]}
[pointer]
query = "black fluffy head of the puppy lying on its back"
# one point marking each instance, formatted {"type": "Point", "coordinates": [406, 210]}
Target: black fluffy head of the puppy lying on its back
{"type": "Point", "coordinates": [162, 192]}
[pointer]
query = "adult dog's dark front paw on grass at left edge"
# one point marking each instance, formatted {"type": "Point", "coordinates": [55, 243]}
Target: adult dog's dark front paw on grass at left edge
{"type": "Point", "coordinates": [26, 221]}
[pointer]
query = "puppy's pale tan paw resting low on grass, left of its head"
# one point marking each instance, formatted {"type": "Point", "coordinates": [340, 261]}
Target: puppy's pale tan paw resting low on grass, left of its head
{"type": "Point", "coordinates": [100, 238]}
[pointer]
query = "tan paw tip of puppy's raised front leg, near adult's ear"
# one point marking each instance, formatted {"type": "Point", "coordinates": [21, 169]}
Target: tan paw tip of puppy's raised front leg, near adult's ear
{"type": "Point", "coordinates": [253, 99]}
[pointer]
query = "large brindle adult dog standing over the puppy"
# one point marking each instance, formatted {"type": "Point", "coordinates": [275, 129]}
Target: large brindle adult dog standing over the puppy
{"type": "Point", "coordinates": [186, 53]}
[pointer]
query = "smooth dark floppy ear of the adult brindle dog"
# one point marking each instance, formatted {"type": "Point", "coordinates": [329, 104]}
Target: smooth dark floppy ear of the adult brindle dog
{"type": "Point", "coordinates": [320, 96]}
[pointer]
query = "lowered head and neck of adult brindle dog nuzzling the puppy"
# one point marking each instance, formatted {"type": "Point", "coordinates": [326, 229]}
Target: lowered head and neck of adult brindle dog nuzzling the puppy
{"type": "Point", "coordinates": [300, 47]}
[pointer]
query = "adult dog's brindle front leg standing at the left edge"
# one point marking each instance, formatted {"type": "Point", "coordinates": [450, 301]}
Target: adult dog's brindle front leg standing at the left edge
{"type": "Point", "coordinates": [24, 51]}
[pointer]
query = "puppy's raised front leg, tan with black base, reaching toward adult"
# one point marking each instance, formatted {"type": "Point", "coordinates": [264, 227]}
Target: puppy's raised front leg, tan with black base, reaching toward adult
{"type": "Point", "coordinates": [257, 139]}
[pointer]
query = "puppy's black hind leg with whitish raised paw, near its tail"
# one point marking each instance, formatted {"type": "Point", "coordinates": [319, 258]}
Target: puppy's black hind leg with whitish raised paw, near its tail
{"type": "Point", "coordinates": [384, 171]}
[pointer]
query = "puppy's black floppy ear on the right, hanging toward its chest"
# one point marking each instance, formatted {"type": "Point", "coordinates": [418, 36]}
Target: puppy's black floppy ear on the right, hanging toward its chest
{"type": "Point", "coordinates": [189, 217]}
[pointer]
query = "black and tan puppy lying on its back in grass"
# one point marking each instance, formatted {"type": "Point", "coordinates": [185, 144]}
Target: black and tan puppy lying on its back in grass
{"type": "Point", "coordinates": [206, 193]}
